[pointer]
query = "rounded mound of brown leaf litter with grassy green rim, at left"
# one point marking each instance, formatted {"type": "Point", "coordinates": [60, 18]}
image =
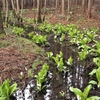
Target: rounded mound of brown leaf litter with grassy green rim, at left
{"type": "Point", "coordinates": [17, 56]}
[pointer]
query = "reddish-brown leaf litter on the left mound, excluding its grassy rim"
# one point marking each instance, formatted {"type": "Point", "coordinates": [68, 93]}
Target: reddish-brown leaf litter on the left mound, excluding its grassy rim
{"type": "Point", "coordinates": [13, 62]}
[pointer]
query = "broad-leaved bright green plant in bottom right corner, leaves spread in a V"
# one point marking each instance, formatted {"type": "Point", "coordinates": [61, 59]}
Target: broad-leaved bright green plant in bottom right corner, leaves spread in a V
{"type": "Point", "coordinates": [83, 95]}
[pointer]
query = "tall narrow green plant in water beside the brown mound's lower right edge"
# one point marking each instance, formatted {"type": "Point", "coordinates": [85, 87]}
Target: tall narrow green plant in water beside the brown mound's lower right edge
{"type": "Point", "coordinates": [41, 77]}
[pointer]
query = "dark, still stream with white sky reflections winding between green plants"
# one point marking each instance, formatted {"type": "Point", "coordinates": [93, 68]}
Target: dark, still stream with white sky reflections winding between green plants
{"type": "Point", "coordinates": [76, 77]}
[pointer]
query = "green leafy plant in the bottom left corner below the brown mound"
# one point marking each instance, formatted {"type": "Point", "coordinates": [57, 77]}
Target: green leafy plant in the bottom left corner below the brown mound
{"type": "Point", "coordinates": [6, 90]}
